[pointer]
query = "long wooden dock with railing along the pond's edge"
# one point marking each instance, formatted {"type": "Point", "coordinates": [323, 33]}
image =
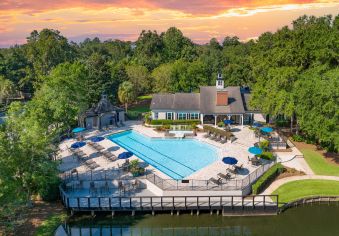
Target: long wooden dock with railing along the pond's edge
{"type": "Point", "coordinates": [227, 205]}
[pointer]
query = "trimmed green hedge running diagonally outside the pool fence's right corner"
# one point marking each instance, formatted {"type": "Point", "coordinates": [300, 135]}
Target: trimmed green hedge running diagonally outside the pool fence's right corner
{"type": "Point", "coordinates": [267, 178]}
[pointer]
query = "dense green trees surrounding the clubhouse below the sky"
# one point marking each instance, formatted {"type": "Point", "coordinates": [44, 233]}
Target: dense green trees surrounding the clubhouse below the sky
{"type": "Point", "coordinates": [292, 72]}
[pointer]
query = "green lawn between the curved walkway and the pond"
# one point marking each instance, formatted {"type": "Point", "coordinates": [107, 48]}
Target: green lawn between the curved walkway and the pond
{"type": "Point", "coordinates": [306, 188]}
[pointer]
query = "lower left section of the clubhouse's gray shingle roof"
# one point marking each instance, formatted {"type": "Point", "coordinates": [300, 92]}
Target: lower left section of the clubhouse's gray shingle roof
{"type": "Point", "coordinates": [177, 101]}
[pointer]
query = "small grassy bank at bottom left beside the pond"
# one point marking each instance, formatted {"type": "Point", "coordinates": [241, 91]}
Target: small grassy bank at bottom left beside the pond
{"type": "Point", "coordinates": [49, 225]}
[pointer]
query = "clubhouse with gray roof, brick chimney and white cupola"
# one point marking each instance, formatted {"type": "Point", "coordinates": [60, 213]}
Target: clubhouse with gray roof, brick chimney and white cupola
{"type": "Point", "coordinates": [212, 105]}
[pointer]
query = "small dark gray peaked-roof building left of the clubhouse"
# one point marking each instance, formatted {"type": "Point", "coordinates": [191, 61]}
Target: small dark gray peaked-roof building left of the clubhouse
{"type": "Point", "coordinates": [102, 114]}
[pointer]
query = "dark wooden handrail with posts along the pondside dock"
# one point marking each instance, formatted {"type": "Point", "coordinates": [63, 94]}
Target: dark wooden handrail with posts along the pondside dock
{"type": "Point", "coordinates": [166, 202]}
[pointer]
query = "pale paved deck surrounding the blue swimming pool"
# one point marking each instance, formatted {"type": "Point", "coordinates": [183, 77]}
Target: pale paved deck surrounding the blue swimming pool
{"type": "Point", "coordinates": [238, 149]}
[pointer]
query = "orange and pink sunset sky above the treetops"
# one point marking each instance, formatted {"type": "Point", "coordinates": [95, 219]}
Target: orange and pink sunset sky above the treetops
{"type": "Point", "coordinates": [199, 20]}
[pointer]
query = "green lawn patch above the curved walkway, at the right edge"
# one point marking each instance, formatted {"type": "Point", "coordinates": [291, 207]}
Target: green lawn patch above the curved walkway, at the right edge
{"type": "Point", "coordinates": [318, 163]}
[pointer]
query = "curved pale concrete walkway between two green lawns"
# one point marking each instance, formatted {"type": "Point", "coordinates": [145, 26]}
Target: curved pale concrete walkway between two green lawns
{"type": "Point", "coordinates": [276, 184]}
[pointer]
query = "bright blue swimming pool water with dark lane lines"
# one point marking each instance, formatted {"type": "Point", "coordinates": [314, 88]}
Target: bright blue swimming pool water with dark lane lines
{"type": "Point", "coordinates": [176, 158]}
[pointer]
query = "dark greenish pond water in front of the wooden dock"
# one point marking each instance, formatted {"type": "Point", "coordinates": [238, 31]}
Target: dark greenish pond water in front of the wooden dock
{"type": "Point", "coordinates": [318, 220]}
